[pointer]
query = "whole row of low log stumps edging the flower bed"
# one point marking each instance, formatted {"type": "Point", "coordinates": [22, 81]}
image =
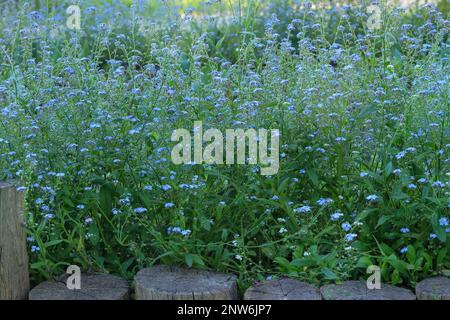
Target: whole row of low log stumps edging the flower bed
{"type": "Point", "coordinates": [176, 283]}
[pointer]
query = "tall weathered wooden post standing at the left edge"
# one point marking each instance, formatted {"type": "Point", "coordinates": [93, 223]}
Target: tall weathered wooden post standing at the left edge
{"type": "Point", "coordinates": [14, 278]}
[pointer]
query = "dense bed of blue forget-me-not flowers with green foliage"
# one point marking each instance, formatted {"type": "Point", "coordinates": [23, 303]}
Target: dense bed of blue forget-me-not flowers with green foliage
{"type": "Point", "coordinates": [87, 116]}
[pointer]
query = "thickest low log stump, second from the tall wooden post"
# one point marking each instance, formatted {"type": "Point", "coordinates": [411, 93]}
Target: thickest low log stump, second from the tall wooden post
{"type": "Point", "coordinates": [175, 283]}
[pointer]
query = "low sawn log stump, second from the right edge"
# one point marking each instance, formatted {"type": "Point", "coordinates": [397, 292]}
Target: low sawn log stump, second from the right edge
{"type": "Point", "coordinates": [357, 290]}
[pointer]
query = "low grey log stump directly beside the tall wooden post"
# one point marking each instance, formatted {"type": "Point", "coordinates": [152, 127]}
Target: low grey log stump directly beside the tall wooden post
{"type": "Point", "coordinates": [93, 287]}
